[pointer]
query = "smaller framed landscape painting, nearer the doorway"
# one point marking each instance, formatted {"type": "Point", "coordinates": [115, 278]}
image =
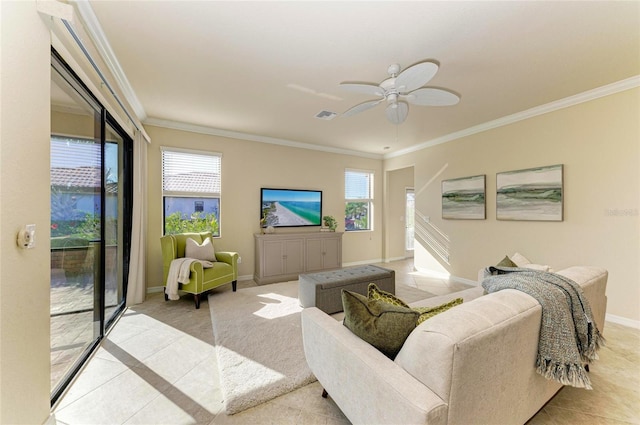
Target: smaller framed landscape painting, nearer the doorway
{"type": "Point", "coordinates": [464, 198]}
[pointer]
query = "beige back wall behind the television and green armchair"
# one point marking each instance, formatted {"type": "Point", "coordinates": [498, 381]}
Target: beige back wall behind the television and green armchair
{"type": "Point", "coordinates": [246, 167]}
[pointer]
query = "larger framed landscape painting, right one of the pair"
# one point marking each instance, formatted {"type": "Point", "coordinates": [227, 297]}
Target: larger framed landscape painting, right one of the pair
{"type": "Point", "coordinates": [533, 194]}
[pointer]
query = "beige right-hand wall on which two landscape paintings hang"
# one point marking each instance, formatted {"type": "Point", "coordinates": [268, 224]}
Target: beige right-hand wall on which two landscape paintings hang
{"type": "Point", "coordinates": [598, 143]}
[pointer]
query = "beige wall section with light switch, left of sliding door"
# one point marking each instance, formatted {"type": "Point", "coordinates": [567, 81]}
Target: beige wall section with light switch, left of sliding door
{"type": "Point", "coordinates": [24, 199]}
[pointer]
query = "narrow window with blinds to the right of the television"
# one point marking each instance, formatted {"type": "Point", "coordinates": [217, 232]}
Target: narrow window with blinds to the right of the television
{"type": "Point", "coordinates": [358, 189]}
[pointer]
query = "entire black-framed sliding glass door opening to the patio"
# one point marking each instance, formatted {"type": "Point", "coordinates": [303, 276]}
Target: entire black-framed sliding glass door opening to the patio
{"type": "Point", "coordinates": [90, 222]}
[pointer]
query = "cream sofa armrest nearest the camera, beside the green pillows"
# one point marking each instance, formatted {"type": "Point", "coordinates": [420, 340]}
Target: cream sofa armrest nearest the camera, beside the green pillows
{"type": "Point", "coordinates": [367, 386]}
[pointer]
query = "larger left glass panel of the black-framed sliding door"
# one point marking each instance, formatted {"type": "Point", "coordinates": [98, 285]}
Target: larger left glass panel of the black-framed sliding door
{"type": "Point", "coordinates": [76, 198]}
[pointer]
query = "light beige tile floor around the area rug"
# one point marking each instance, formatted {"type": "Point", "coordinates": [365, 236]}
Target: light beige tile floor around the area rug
{"type": "Point", "coordinates": [158, 366]}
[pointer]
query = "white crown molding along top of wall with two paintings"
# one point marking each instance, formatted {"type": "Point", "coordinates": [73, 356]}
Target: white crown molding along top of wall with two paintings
{"type": "Point", "coordinates": [609, 89]}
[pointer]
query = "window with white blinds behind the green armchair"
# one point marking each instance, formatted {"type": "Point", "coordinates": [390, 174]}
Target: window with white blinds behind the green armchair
{"type": "Point", "coordinates": [191, 191]}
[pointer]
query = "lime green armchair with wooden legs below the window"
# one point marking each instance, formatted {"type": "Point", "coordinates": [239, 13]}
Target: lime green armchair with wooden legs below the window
{"type": "Point", "coordinates": [224, 270]}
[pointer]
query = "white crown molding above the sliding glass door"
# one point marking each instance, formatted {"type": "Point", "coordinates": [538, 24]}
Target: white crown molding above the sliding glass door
{"type": "Point", "coordinates": [101, 43]}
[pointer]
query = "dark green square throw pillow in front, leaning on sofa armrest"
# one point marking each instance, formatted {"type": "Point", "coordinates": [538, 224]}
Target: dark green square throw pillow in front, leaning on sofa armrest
{"type": "Point", "coordinates": [383, 325]}
